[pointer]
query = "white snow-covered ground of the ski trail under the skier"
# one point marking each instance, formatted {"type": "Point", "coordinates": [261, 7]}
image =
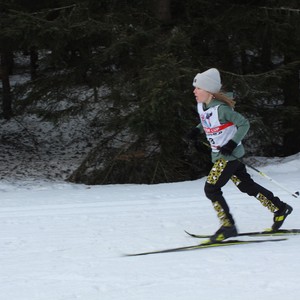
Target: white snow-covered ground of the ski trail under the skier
{"type": "Point", "coordinates": [61, 241]}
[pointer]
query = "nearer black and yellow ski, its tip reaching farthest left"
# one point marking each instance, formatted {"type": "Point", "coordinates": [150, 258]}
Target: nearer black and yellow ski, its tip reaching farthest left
{"type": "Point", "coordinates": [207, 245]}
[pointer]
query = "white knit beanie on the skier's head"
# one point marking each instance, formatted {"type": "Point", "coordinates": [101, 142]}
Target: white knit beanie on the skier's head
{"type": "Point", "coordinates": [209, 81]}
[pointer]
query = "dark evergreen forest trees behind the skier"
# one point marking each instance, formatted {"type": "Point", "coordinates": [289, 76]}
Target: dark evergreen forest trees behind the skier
{"type": "Point", "coordinates": [129, 66]}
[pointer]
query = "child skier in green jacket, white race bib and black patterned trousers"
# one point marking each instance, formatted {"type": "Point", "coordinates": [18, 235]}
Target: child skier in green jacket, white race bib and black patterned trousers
{"type": "Point", "coordinates": [225, 130]}
